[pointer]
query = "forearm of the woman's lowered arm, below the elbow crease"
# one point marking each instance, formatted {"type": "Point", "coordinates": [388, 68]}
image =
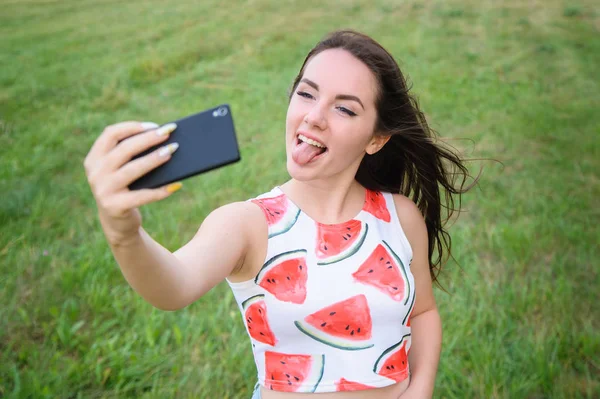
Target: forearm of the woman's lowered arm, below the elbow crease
{"type": "Point", "coordinates": [424, 355]}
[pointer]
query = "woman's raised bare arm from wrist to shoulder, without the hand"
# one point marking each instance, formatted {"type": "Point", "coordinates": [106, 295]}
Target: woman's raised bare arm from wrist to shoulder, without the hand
{"type": "Point", "coordinates": [171, 281]}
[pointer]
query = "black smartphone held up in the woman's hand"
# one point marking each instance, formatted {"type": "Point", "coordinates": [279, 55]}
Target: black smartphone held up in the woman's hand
{"type": "Point", "coordinates": [206, 141]}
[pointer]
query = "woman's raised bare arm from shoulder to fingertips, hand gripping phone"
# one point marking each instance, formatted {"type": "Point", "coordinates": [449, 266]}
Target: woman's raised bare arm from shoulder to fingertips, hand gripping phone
{"type": "Point", "coordinates": [167, 280]}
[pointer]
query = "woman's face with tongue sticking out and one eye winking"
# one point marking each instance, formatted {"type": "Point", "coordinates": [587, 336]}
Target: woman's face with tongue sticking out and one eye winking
{"type": "Point", "coordinates": [333, 107]}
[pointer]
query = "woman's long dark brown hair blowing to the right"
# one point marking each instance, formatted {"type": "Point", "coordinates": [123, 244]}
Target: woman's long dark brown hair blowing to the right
{"type": "Point", "coordinates": [413, 162]}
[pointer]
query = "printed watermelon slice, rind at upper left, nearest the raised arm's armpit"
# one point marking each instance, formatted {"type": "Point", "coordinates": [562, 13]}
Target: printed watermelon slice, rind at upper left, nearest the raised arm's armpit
{"type": "Point", "coordinates": [285, 276]}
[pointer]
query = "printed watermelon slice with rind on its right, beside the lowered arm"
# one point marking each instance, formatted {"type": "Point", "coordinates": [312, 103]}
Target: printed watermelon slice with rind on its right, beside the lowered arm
{"type": "Point", "coordinates": [384, 270]}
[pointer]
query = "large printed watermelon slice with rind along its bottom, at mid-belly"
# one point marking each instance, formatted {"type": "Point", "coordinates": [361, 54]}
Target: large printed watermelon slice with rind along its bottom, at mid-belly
{"type": "Point", "coordinates": [344, 325]}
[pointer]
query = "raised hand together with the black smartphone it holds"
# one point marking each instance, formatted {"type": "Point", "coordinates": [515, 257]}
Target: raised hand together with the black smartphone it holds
{"type": "Point", "coordinates": [140, 155]}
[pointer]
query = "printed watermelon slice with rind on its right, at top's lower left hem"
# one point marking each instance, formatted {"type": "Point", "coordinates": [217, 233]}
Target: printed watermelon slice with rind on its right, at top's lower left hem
{"type": "Point", "coordinates": [293, 373]}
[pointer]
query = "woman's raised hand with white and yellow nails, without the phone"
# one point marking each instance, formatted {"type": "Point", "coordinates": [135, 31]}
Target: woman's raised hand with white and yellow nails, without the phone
{"type": "Point", "coordinates": [110, 170]}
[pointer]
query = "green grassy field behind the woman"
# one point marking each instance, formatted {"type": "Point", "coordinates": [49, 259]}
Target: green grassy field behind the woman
{"type": "Point", "coordinates": [517, 79]}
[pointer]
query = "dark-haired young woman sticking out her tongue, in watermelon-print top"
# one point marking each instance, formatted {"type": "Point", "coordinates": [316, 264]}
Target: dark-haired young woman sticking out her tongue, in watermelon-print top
{"type": "Point", "coordinates": [333, 269]}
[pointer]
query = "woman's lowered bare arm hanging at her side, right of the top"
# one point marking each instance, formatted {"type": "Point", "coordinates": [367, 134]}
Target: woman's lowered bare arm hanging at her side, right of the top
{"type": "Point", "coordinates": [426, 326]}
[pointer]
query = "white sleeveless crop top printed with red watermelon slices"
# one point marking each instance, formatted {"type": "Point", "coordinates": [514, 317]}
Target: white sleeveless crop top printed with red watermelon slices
{"type": "Point", "coordinates": [330, 308]}
